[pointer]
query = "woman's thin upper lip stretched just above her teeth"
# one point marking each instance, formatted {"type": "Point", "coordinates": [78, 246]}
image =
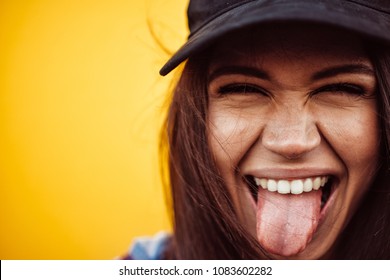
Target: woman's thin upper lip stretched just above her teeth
{"type": "Point", "coordinates": [291, 173]}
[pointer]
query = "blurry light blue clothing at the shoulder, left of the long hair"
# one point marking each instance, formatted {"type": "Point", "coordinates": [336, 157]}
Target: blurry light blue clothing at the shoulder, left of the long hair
{"type": "Point", "coordinates": [149, 248]}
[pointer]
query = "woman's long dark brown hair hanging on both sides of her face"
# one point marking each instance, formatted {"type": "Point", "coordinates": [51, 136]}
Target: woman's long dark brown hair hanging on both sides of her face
{"type": "Point", "coordinates": [205, 223]}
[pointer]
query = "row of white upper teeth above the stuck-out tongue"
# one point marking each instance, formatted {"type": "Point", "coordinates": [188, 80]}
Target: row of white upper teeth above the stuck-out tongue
{"type": "Point", "coordinates": [292, 186]}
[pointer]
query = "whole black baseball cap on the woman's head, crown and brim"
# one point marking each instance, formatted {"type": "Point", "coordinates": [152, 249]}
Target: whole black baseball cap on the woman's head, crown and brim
{"type": "Point", "coordinates": [209, 20]}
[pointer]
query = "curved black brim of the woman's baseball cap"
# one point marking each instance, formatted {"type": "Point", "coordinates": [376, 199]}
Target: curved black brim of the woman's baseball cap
{"type": "Point", "coordinates": [345, 14]}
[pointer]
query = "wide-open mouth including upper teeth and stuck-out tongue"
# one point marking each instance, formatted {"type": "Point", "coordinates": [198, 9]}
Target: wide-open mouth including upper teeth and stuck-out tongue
{"type": "Point", "coordinates": [289, 211]}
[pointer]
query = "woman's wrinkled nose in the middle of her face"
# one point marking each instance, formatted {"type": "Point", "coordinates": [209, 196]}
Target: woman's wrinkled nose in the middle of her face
{"type": "Point", "coordinates": [291, 134]}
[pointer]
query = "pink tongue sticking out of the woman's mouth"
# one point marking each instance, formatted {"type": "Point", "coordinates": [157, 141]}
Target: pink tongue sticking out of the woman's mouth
{"type": "Point", "coordinates": [287, 222]}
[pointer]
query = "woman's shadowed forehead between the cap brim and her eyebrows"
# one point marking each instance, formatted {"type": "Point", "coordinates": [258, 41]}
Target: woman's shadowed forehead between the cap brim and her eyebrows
{"type": "Point", "coordinates": [304, 43]}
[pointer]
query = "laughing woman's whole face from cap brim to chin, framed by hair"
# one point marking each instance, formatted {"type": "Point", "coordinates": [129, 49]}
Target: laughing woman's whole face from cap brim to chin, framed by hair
{"type": "Point", "coordinates": [294, 131]}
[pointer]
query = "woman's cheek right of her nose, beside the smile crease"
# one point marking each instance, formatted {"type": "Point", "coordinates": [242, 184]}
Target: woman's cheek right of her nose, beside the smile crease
{"type": "Point", "coordinates": [355, 137]}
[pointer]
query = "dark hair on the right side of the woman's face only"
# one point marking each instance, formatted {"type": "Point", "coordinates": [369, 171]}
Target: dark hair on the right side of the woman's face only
{"type": "Point", "coordinates": [368, 234]}
